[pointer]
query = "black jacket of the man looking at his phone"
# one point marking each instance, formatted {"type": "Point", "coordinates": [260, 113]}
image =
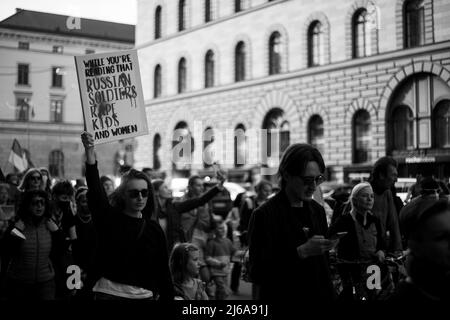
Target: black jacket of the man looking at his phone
{"type": "Point", "coordinates": [275, 232]}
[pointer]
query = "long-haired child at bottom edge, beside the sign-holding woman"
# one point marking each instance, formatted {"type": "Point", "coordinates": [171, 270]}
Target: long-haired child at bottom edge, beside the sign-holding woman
{"type": "Point", "coordinates": [184, 266]}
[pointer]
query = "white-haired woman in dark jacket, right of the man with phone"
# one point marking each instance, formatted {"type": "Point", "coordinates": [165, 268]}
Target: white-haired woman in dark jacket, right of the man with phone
{"type": "Point", "coordinates": [363, 241]}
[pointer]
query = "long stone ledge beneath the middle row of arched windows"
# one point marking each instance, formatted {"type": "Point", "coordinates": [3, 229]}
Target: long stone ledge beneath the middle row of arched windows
{"type": "Point", "coordinates": [342, 65]}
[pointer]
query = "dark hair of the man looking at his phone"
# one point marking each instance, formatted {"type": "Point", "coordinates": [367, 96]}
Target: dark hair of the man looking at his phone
{"type": "Point", "coordinates": [295, 159]}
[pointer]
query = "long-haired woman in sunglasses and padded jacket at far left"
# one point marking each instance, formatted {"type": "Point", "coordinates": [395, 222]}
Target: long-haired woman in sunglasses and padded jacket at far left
{"type": "Point", "coordinates": [29, 246]}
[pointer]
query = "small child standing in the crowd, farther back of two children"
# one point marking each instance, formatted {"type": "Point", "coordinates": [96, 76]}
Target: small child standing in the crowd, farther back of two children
{"type": "Point", "coordinates": [219, 251]}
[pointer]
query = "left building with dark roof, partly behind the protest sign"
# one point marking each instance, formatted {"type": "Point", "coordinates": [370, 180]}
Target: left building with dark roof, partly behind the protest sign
{"type": "Point", "coordinates": [40, 100]}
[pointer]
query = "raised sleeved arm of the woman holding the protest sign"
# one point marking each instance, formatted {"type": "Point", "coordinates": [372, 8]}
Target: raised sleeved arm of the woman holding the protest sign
{"type": "Point", "coordinates": [97, 200]}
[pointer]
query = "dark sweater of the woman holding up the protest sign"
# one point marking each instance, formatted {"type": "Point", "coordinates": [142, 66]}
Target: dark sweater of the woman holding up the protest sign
{"type": "Point", "coordinates": [124, 256]}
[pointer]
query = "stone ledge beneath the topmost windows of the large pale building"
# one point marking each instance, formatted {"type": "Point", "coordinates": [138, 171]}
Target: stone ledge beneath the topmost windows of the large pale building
{"type": "Point", "coordinates": [211, 23]}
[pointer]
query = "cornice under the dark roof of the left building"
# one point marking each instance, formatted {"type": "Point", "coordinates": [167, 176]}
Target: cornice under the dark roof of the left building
{"type": "Point", "coordinates": [68, 40]}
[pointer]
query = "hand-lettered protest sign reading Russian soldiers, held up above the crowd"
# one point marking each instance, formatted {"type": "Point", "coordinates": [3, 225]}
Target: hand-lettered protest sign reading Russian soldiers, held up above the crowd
{"type": "Point", "coordinates": [111, 95]}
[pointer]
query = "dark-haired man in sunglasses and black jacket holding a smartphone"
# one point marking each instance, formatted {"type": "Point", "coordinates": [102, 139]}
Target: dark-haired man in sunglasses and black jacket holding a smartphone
{"type": "Point", "coordinates": [287, 244]}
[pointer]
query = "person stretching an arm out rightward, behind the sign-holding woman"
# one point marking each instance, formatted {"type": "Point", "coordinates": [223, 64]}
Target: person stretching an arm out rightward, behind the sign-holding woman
{"type": "Point", "coordinates": [169, 211]}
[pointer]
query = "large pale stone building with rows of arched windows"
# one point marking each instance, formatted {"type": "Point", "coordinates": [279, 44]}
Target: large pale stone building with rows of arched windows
{"type": "Point", "coordinates": [358, 79]}
